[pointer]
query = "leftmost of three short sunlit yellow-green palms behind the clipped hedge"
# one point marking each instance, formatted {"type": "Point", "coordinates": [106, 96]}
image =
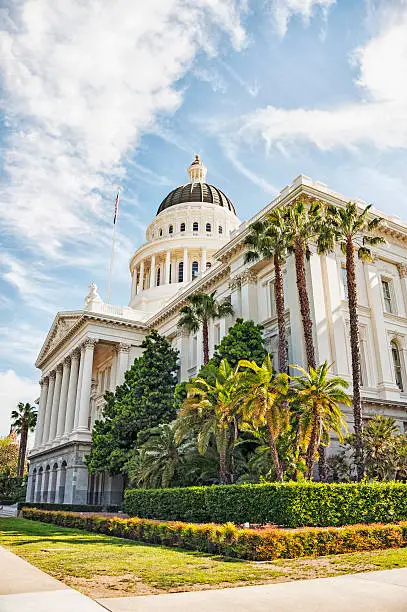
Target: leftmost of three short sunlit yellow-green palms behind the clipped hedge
{"type": "Point", "coordinates": [208, 409]}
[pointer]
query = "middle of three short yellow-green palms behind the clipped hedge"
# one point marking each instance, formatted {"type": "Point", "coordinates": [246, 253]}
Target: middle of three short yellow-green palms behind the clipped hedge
{"type": "Point", "coordinates": [264, 402]}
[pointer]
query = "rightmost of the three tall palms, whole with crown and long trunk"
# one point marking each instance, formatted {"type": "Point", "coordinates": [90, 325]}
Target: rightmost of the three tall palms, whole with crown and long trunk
{"type": "Point", "coordinates": [355, 233]}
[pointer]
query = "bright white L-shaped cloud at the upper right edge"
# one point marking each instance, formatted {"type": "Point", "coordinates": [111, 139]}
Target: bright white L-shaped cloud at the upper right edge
{"type": "Point", "coordinates": [379, 119]}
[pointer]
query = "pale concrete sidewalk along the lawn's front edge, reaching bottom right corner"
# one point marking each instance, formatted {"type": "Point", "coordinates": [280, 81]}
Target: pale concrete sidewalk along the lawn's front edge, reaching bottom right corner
{"type": "Point", "coordinates": [384, 591]}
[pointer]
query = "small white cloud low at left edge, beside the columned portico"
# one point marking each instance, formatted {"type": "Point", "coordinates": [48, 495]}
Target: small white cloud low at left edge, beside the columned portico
{"type": "Point", "coordinates": [14, 389]}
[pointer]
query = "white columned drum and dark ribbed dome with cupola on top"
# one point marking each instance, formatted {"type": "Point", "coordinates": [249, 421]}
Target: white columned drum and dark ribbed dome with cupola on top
{"type": "Point", "coordinates": [192, 223]}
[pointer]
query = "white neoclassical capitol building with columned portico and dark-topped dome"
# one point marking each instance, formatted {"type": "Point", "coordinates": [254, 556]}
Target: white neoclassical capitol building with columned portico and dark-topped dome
{"type": "Point", "coordinates": [196, 244]}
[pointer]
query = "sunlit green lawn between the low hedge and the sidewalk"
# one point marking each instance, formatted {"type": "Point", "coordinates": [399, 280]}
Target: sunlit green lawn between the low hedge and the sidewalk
{"type": "Point", "coordinates": [102, 566]}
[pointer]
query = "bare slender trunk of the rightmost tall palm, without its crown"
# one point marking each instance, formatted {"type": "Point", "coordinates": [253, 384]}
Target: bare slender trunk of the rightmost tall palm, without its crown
{"type": "Point", "coordinates": [355, 352]}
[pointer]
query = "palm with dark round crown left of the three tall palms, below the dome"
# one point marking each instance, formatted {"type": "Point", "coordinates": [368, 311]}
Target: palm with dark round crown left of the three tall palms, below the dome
{"type": "Point", "coordinates": [201, 309]}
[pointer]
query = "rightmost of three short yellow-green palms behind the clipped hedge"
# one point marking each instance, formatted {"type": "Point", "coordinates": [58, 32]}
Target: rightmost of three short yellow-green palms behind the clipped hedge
{"type": "Point", "coordinates": [318, 403]}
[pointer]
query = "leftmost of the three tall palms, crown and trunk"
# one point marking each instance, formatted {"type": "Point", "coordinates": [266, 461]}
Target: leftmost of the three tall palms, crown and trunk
{"type": "Point", "coordinates": [267, 240]}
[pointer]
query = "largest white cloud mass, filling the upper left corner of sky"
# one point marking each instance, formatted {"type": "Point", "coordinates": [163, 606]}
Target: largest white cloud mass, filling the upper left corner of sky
{"type": "Point", "coordinates": [82, 82]}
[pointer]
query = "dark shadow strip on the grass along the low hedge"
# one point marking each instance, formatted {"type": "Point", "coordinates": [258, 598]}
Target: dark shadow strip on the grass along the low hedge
{"type": "Point", "coordinates": [55, 535]}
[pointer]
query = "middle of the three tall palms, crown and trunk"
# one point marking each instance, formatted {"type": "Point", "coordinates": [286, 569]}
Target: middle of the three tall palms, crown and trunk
{"type": "Point", "coordinates": [302, 221]}
